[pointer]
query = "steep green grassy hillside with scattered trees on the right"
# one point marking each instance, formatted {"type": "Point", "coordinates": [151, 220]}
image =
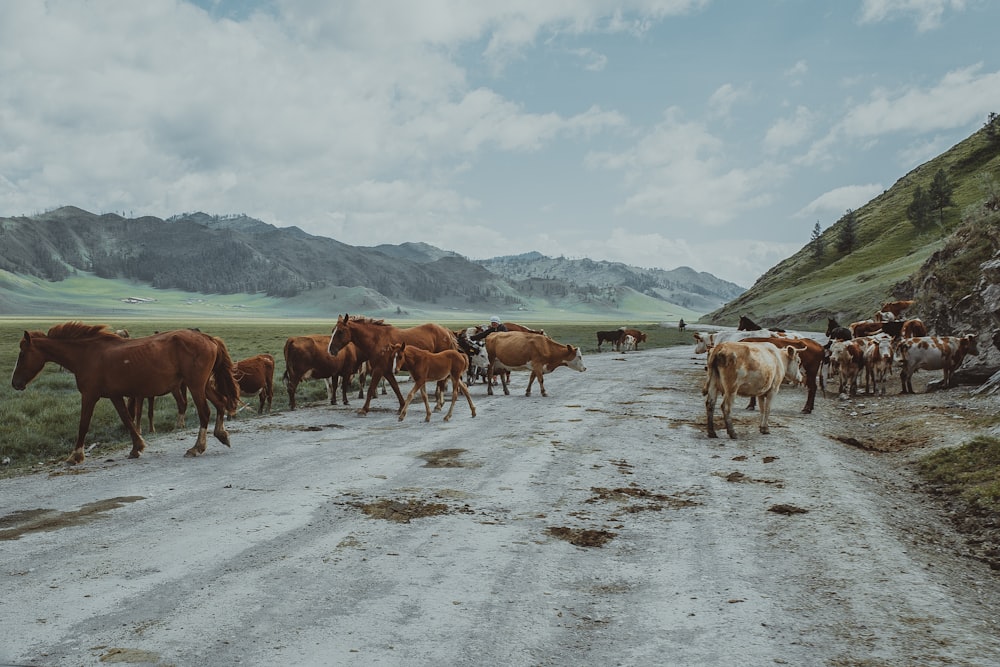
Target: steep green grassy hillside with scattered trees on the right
{"type": "Point", "coordinates": [804, 290]}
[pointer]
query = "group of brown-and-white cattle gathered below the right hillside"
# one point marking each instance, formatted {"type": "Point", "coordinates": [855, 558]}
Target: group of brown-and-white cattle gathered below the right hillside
{"type": "Point", "coordinates": [753, 361]}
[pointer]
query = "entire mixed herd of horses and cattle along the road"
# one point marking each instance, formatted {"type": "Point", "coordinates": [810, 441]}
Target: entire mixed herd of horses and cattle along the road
{"type": "Point", "coordinates": [752, 361]}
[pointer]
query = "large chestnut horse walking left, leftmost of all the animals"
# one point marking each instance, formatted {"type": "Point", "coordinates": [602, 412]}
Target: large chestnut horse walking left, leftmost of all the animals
{"type": "Point", "coordinates": [108, 366]}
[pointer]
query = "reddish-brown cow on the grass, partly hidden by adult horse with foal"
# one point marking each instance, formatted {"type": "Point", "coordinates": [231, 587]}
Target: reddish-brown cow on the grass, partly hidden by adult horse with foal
{"type": "Point", "coordinates": [307, 358]}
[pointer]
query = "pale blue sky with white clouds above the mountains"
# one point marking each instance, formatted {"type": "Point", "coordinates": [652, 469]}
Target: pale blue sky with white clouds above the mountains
{"type": "Point", "coordinates": [712, 134]}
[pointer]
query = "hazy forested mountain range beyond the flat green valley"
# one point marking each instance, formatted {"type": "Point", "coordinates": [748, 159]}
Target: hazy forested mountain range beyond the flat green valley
{"type": "Point", "coordinates": [235, 254]}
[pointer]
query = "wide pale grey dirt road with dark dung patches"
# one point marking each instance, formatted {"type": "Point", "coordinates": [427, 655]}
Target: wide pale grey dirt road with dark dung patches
{"type": "Point", "coordinates": [596, 526]}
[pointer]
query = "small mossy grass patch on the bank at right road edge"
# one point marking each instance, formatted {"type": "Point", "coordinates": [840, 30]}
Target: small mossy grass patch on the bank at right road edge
{"type": "Point", "coordinates": [971, 472]}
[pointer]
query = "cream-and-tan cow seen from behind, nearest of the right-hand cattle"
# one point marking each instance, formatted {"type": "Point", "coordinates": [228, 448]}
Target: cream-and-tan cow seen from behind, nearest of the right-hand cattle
{"type": "Point", "coordinates": [747, 369]}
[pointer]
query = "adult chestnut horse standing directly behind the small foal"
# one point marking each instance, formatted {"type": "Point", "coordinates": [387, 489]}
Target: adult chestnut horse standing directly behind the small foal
{"type": "Point", "coordinates": [373, 338]}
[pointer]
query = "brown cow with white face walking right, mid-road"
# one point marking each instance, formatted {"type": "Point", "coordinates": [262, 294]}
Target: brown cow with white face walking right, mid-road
{"type": "Point", "coordinates": [516, 351]}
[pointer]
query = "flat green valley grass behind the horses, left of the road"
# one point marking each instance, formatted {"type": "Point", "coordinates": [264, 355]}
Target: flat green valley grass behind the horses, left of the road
{"type": "Point", "coordinates": [39, 425]}
